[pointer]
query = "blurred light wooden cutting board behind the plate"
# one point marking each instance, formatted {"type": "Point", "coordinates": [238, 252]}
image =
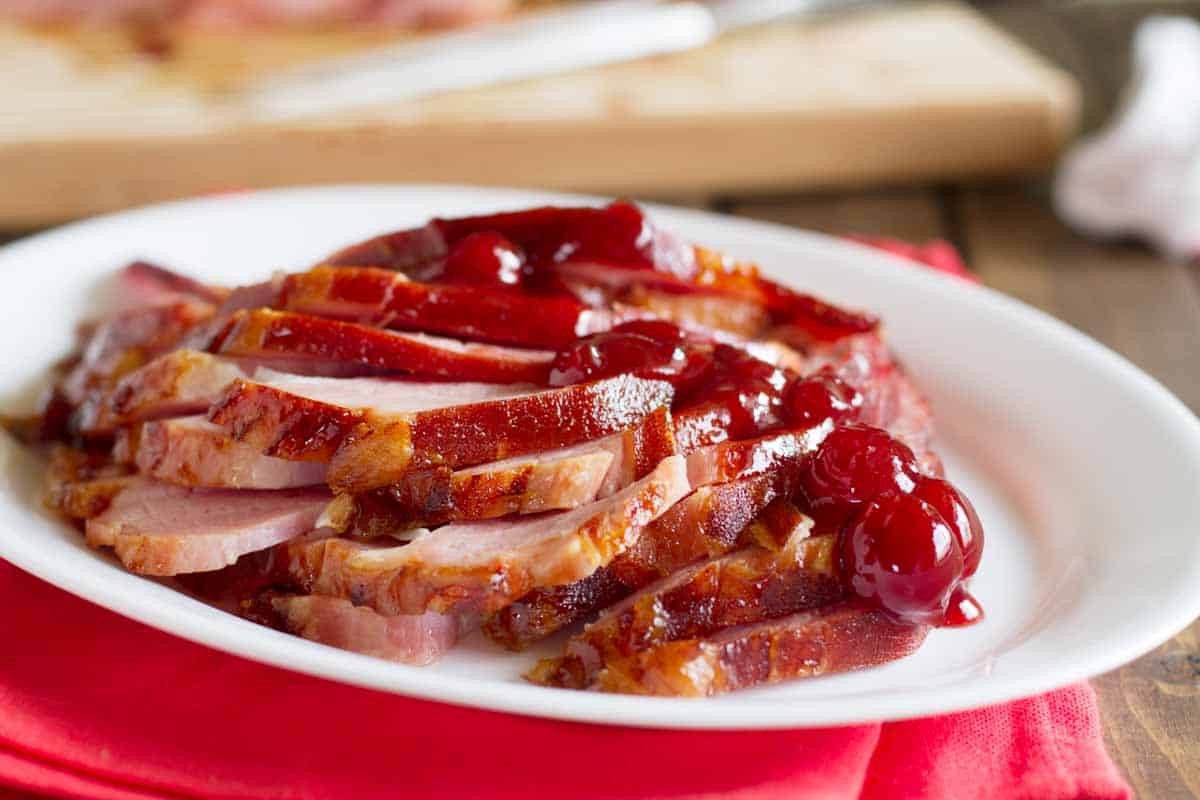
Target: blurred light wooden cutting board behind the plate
{"type": "Point", "coordinates": [100, 121]}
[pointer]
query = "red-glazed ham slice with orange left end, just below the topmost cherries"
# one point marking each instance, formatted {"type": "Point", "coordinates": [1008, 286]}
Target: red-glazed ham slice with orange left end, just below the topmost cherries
{"type": "Point", "coordinates": [387, 299]}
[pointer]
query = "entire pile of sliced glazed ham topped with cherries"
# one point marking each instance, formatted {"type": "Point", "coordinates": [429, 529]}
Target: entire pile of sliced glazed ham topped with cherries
{"type": "Point", "coordinates": [526, 423]}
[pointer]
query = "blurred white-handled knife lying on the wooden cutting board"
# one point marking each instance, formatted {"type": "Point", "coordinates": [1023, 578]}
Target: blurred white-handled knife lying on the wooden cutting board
{"type": "Point", "coordinates": [592, 34]}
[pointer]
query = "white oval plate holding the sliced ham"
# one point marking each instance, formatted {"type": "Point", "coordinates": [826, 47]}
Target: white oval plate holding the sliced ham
{"type": "Point", "coordinates": [1084, 470]}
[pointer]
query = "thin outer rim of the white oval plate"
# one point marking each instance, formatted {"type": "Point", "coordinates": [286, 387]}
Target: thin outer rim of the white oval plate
{"type": "Point", "coordinates": [230, 634]}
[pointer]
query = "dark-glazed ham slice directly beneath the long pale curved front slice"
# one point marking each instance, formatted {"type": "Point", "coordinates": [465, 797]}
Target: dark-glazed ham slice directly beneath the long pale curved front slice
{"type": "Point", "coordinates": [707, 524]}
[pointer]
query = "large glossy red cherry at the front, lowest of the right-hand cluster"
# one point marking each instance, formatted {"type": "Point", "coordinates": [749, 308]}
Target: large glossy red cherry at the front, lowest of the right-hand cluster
{"type": "Point", "coordinates": [899, 554]}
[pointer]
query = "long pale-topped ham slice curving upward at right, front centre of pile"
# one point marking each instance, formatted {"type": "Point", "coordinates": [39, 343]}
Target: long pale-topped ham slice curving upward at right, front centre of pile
{"type": "Point", "coordinates": [487, 566]}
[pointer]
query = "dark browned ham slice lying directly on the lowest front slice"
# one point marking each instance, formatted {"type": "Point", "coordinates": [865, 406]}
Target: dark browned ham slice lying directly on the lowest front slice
{"type": "Point", "coordinates": [747, 587]}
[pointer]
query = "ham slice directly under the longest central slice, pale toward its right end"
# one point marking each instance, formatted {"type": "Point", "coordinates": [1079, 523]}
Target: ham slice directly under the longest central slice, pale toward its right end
{"type": "Point", "coordinates": [549, 482]}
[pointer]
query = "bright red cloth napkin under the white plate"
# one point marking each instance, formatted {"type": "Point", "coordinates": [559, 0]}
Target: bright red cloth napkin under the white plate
{"type": "Point", "coordinates": [99, 707]}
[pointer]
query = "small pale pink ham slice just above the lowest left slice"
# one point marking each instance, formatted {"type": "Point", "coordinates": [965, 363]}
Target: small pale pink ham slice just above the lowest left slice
{"type": "Point", "coordinates": [193, 452]}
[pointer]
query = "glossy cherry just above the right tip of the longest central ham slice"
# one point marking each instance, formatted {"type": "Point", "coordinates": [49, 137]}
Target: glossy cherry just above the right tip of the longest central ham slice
{"type": "Point", "coordinates": [649, 348]}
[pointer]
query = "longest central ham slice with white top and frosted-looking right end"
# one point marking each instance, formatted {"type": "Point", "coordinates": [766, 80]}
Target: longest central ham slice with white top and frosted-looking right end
{"type": "Point", "coordinates": [399, 428]}
